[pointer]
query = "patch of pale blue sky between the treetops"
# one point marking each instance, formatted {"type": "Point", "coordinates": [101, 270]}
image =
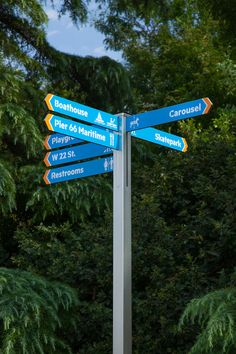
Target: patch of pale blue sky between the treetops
{"type": "Point", "coordinates": [85, 40]}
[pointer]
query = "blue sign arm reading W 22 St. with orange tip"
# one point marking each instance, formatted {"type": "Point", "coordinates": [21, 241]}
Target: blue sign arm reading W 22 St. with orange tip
{"type": "Point", "coordinates": [75, 153]}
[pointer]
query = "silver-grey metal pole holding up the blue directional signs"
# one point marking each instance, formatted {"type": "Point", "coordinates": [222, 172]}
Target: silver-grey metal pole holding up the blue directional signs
{"type": "Point", "coordinates": [122, 304]}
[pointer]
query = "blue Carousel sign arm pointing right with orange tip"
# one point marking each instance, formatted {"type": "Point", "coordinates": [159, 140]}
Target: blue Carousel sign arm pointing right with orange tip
{"type": "Point", "coordinates": [168, 114]}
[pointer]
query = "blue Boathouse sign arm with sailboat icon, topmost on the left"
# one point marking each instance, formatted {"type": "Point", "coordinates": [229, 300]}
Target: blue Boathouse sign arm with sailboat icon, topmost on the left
{"type": "Point", "coordinates": [81, 112]}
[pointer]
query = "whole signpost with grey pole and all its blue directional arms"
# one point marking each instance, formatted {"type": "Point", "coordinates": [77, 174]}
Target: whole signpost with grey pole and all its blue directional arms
{"type": "Point", "coordinates": [74, 147]}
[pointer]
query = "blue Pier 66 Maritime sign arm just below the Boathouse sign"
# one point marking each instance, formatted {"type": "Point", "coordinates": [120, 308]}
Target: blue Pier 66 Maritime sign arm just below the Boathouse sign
{"type": "Point", "coordinates": [82, 131]}
